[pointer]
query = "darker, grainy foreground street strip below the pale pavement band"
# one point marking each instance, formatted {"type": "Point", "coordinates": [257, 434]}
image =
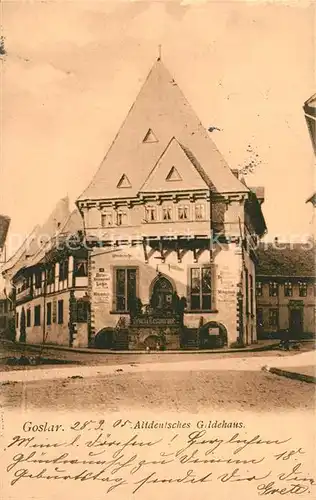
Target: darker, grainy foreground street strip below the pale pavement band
{"type": "Point", "coordinates": [191, 391]}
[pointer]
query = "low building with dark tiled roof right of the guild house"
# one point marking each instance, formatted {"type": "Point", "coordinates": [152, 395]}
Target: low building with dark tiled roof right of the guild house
{"type": "Point", "coordinates": [285, 289]}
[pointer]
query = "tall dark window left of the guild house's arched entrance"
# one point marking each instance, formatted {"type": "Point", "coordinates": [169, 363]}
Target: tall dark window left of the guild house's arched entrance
{"type": "Point", "coordinates": [125, 288]}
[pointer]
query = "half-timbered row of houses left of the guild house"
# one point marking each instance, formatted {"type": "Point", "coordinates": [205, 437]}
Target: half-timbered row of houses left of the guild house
{"type": "Point", "coordinates": [49, 276]}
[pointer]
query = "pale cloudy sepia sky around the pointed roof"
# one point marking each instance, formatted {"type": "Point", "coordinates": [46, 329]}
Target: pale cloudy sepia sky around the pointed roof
{"type": "Point", "coordinates": [73, 69]}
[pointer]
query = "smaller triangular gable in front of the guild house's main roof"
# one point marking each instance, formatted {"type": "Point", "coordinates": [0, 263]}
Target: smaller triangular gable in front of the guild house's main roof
{"type": "Point", "coordinates": [173, 165]}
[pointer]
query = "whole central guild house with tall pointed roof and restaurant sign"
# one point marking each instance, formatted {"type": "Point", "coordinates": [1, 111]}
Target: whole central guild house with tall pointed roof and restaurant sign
{"type": "Point", "coordinates": [172, 231]}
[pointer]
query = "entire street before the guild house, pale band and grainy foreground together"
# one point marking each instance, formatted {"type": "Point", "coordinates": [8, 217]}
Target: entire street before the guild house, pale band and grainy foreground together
{"type": "Point", "coordinates": [193, 383]}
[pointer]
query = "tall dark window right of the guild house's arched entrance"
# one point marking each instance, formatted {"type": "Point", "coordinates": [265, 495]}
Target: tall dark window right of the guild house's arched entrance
{"type": "Point", "coordinates": [200, 288]}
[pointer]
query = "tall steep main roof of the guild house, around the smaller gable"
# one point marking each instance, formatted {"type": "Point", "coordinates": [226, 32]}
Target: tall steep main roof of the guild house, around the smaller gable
{"type": "Point", "coordinates": [161, 112]}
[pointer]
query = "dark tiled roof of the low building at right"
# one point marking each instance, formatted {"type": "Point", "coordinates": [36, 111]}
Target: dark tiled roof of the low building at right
{"type": "Point", "coordinates": [286, 260]}
